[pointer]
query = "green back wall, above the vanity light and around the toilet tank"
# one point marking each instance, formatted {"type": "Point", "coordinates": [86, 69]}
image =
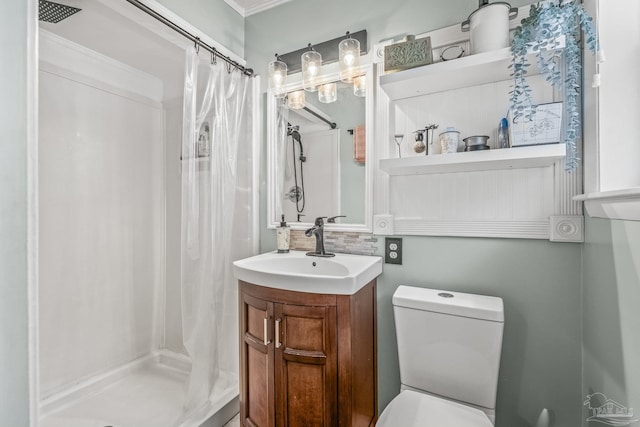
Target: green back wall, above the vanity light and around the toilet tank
{"type": "Point", "coordinates": [538, 280]}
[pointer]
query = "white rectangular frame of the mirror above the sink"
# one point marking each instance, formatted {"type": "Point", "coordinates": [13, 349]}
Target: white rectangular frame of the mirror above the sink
{"type": "Point", "coordinates": [273, 218]}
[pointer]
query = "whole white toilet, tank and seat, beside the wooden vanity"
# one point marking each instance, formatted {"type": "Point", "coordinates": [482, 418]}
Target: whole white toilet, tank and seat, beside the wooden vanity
{"type": "Point", "coordinates": [449, 346]}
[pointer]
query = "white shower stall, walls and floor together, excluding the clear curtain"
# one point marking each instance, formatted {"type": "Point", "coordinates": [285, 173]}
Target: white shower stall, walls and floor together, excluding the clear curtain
{"type": "Point", "coordinates": [110, 312]}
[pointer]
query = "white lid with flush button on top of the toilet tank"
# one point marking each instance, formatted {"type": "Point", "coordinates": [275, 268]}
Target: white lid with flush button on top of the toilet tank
{"type": "Point", "coordinates": [448, 302]}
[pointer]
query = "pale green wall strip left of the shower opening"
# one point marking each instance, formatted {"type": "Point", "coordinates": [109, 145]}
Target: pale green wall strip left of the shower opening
{"type": "Point", "coordinates": [14, 122]}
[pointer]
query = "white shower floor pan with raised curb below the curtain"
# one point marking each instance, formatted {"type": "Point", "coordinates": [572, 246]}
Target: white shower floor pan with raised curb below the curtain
{"type": "Point", "coordinates": [149, 392]}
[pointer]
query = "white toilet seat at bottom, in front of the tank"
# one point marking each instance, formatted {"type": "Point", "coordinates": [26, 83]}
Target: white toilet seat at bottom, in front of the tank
{"type": "Point", "coordinates": [413, 409]}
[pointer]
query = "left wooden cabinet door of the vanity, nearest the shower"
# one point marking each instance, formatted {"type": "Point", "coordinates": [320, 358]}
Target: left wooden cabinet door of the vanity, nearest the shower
{"type": "Point", "coordinates": [256, 358]}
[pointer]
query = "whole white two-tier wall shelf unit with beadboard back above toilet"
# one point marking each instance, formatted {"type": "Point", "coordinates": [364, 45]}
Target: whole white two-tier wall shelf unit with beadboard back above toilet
{"type": "Point", "coordinates": [530, 181]}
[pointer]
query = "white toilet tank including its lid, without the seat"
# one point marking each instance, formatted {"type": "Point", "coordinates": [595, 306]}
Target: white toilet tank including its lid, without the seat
{"type": "Point", "coordinates": [449, 343]}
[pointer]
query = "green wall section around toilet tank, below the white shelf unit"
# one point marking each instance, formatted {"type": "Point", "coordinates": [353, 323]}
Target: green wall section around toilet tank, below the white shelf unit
{"type": "Point", "coordinates": [539, 282]}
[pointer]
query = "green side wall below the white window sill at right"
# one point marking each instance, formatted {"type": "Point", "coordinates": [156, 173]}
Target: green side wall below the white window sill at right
{"type": "Point", "coordinates": [611, 311]}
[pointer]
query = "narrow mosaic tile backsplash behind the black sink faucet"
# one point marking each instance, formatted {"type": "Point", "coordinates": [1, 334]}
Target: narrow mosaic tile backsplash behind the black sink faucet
{"type": "Point", "coordinates": [346, 242]}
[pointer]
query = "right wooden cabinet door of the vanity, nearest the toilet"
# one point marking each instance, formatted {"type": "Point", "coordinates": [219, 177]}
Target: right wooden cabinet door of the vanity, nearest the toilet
{"type": "Point", "coordinates": [306, 366]}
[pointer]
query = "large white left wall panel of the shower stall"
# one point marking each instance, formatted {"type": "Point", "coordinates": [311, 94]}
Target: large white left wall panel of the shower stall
{"type": "Point", "coordinates": [101, 214]}
